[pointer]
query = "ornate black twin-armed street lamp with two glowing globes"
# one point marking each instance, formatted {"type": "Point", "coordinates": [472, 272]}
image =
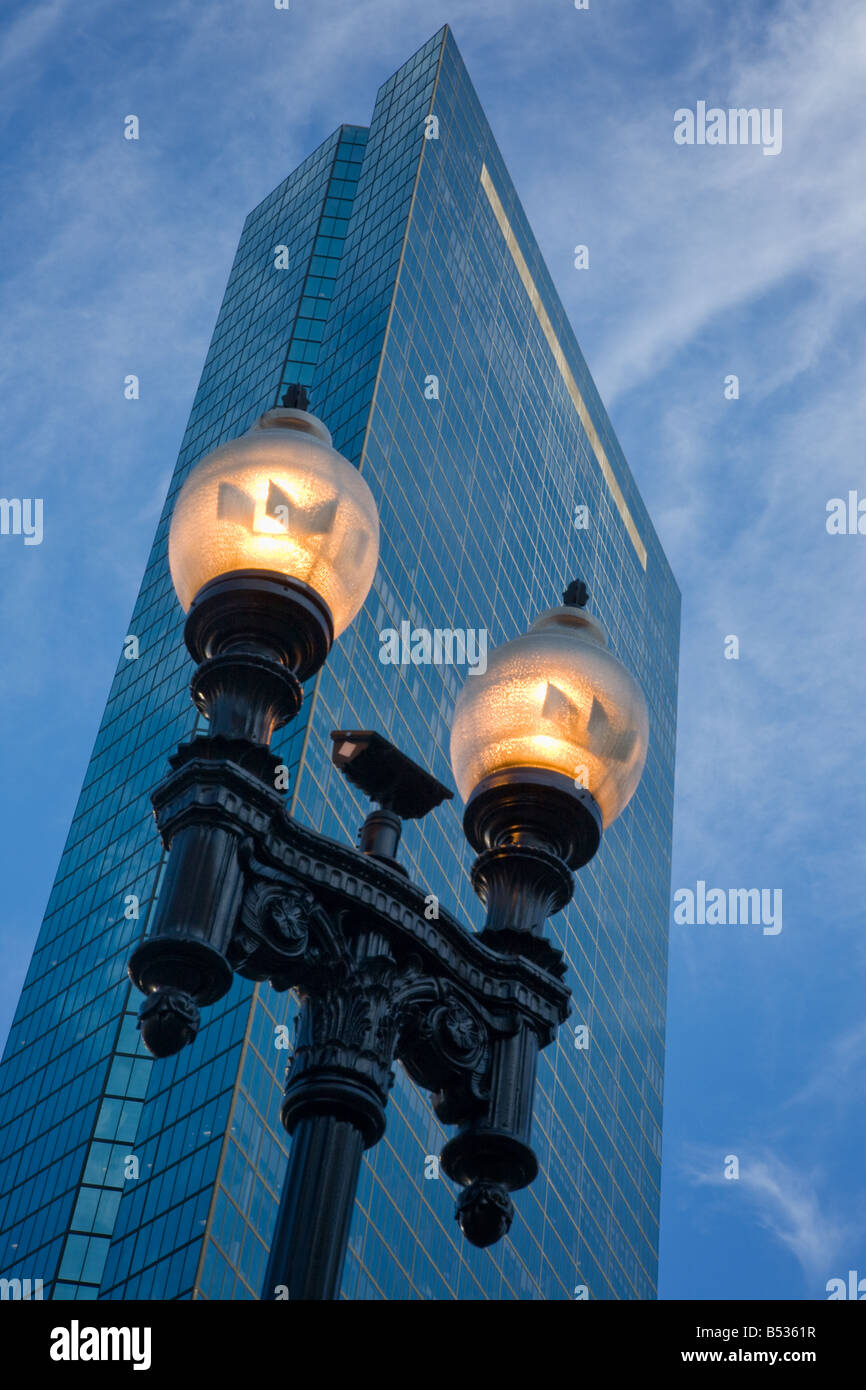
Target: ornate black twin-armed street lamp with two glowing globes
{"type": "Point", "coordinates": [273, 550]}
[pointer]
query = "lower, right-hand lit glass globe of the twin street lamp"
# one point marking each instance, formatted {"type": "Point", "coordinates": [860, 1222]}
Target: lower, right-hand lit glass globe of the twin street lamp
{"type": "Point", "coordinates": [554, 701]}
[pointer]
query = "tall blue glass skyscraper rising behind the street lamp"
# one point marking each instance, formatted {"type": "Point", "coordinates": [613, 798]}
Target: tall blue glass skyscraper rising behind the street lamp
{"type": "Point", "coordinates": [395, 276]}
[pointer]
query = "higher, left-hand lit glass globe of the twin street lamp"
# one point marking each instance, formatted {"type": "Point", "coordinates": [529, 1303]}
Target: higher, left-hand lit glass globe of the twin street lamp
{"type": "Point", "coordinates": [279, 500]}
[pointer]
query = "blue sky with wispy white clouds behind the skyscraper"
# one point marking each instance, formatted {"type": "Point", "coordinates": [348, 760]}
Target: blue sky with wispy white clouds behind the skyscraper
{"type": "Point", "coordinates": [704, 262]}
